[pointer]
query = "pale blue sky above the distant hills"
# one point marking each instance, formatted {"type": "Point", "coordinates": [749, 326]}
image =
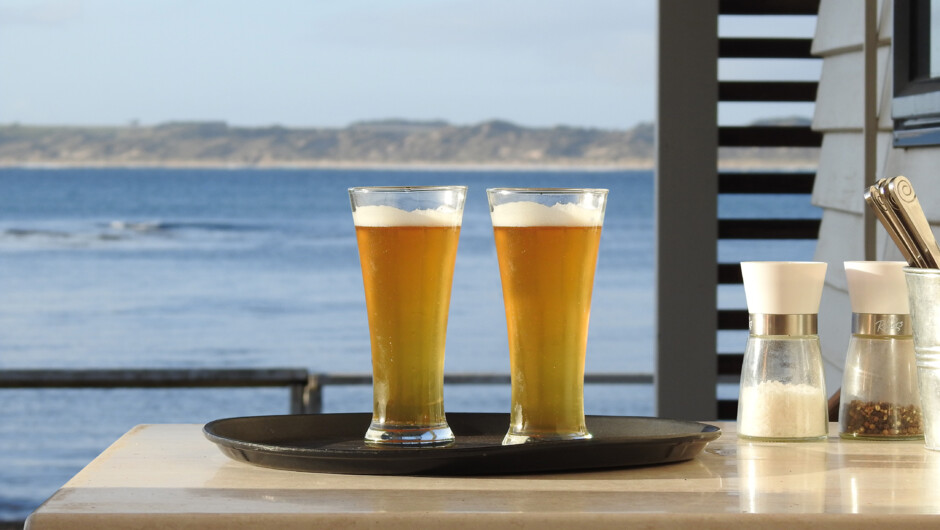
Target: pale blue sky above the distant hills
{"type": "Point", "coordinates": [333, 62]}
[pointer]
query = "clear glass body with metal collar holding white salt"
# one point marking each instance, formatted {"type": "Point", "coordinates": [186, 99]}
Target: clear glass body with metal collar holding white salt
{"type": "Point", "coordinates": [783, 390]}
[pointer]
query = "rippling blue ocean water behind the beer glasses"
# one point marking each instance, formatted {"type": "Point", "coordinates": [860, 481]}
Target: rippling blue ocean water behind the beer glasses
{"type": "Point", "coordinates": [243, 268]}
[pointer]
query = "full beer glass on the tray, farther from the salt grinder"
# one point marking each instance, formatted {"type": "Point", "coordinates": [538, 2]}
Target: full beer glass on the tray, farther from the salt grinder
{"type": "Point", "coordinates": [407, 239]}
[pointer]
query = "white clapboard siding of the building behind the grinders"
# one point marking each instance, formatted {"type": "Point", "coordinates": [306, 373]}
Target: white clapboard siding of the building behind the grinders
{"type": "Point", "coordinates": [839, 116]}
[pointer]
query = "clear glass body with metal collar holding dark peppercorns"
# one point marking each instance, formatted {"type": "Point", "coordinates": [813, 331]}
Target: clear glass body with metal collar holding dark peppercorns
{"type": "Point", "coordinates": [880, 398]}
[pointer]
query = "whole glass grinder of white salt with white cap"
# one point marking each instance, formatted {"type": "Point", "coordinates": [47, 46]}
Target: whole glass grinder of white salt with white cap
{"type": "Point", "coordinates": [783, 391]}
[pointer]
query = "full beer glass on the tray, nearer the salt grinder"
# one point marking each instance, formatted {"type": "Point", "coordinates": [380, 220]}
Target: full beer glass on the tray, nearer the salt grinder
{"type": "Point", "coordinates": [546, 243]}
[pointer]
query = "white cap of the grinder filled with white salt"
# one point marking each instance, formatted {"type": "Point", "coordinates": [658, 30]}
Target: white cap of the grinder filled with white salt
{"type": "Point", "coordinates": [783, 287]}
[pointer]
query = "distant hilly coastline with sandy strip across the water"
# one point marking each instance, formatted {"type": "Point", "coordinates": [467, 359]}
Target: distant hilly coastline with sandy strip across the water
{"type": "Point", "coordinates": [379, 145]}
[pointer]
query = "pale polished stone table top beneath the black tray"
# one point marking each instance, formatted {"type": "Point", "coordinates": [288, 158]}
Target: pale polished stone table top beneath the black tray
{"type": "Point", "coordinates": [170, 476]}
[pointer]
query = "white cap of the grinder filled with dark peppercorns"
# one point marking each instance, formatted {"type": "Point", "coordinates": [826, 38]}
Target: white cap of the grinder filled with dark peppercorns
{"type": "Point", "coordinates": [877, 287]}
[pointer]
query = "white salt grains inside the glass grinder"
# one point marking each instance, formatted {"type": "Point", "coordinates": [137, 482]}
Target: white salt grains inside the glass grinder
{"type": "Point", "coordinates": [773, 409]}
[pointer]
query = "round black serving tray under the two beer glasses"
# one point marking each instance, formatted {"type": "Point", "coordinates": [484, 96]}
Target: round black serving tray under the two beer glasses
{"type": "Point", "coordinates": [333, 443]}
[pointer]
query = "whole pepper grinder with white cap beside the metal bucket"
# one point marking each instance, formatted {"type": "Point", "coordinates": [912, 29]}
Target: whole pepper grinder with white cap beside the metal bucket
{"type": "Point", "coordinates": [880, 398]}
